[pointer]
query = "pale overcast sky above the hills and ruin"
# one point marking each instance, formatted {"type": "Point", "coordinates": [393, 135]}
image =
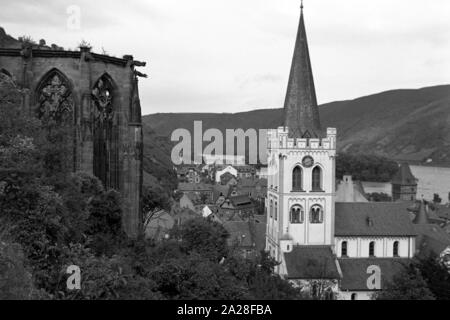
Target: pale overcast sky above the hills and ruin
{"type": "Point", "coordinates": [235, 55]}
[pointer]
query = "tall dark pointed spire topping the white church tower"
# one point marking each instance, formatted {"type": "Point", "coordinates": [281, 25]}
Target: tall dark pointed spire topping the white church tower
{"type": "Point", "coordinates": [301, 113]}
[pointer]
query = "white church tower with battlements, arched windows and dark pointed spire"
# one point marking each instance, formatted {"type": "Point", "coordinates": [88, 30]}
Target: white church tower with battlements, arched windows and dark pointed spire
{"type": "Point", "coordinates": [301, 167]}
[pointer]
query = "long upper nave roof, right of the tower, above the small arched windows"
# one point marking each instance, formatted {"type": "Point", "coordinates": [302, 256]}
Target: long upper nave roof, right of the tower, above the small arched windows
{"type": "Point", "coordinates": [373, 219]}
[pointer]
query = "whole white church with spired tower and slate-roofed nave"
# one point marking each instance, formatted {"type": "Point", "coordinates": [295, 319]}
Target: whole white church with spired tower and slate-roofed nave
{"type": "Point", "coordinates": [322, 245]}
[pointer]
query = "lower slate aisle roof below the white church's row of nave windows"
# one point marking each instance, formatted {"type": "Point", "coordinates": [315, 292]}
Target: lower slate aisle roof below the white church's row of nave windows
{"type": "Point", "coordinates": [354, 271]}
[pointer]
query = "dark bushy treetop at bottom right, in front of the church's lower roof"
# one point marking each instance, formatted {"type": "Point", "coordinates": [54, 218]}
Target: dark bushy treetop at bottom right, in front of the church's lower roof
{"type": "Point", "coordinates": [408, 284]}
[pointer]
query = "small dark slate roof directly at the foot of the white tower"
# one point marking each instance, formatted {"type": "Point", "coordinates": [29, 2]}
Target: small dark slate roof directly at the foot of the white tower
{"type": "Point", "coordinates": [311, 262]}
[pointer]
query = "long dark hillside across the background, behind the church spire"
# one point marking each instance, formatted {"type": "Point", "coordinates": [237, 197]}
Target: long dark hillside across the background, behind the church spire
{"type": "Point", "coordinates": [410, 125]}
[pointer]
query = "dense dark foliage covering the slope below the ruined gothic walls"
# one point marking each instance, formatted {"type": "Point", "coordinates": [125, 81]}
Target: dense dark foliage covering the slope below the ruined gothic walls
{"type": "Point", "coordinates": [52, 218]}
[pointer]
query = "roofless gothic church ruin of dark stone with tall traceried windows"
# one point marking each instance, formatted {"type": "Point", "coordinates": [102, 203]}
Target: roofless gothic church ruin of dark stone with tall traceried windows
{"type": "Point", "coordinates": [98, 95]}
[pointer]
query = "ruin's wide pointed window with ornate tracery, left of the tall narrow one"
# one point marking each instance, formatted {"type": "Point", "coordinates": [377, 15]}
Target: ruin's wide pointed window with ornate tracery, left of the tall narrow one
{"type": "Point", "coordinates": [55, 99]}
